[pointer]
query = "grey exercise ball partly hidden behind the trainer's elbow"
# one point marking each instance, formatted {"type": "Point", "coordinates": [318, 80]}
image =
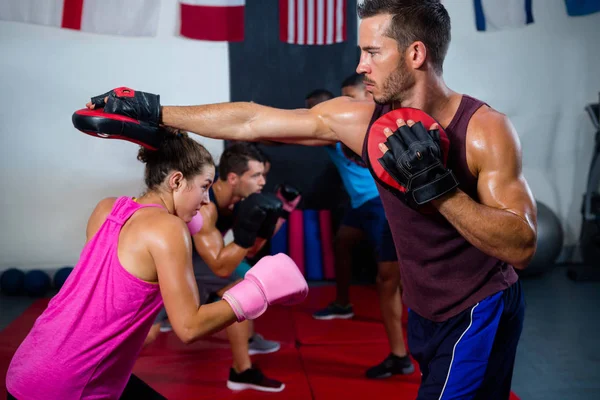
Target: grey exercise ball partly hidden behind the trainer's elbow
{"type": "Point", "coordinates": [549, 242]}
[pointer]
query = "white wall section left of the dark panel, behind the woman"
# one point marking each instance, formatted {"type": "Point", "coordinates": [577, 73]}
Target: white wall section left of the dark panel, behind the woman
{"type": "Point", "coordinates": [53, 175]}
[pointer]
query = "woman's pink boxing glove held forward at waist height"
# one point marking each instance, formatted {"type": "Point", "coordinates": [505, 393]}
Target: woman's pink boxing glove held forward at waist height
{"type": "Point", "coordinates": [273, 280]}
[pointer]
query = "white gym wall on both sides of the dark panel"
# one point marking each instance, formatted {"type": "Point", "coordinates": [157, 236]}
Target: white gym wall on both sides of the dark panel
{"type": "Point", "coordinates": [541, 76]}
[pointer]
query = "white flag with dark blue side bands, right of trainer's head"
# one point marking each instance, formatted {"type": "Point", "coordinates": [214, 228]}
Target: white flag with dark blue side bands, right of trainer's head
{"type": "Point", "coordinates": [496, 15]}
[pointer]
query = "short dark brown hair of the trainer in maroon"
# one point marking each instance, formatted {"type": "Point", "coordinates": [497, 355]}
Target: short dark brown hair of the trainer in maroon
{"type": "Point", "coordinates": [415, 20]}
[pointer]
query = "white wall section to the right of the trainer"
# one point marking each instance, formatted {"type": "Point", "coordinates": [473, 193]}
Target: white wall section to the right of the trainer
{"type": "Point", "coordinates": [541, 76]}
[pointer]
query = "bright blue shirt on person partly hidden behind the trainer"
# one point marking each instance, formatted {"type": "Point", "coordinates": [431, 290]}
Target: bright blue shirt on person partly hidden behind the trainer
{"type": "Point", "coordinates": [358, 181]}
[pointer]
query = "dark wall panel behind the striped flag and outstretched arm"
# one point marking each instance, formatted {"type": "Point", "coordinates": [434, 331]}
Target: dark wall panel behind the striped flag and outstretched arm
{"type": "Point", "coordinates": [267, 71]}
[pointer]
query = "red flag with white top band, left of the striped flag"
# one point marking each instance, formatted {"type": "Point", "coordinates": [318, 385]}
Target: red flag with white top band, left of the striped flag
{"type": "Point", "coordinates": [216, 20]}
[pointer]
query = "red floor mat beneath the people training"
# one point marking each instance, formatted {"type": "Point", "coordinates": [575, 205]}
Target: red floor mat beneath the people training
{"type": "Point", "coordinates": [332, 366]}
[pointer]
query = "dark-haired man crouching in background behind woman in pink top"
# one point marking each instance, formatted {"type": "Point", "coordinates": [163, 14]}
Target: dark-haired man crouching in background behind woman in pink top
{"type": "Point", "coordinates": [241, 173]}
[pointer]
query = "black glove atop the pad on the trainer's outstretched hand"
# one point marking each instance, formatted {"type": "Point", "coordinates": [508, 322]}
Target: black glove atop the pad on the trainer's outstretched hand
{"type": "Point", "coordinates": [132, 103]}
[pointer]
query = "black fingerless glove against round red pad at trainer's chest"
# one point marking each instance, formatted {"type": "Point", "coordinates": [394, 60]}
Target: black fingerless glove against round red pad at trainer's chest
{"type": "Point", "coordinates": [414, 160]}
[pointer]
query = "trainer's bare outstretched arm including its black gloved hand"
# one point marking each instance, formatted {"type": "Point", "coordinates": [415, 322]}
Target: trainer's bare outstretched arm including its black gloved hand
{"type": "Point", "coordinates": [340, 119]}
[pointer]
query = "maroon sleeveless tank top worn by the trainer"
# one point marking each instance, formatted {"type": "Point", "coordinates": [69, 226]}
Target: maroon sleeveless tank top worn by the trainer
{"type": "Point", "coordinates": [442, 273]}
